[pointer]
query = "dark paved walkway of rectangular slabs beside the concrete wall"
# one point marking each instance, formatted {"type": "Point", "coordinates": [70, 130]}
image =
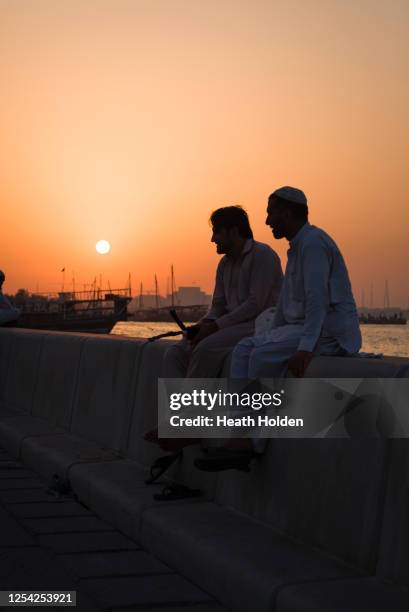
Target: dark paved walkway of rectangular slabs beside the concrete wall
{"type": "Point", "coordinates": [56, 544]}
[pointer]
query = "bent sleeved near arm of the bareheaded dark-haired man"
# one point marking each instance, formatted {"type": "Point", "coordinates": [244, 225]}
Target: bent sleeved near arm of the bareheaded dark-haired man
{"type": "Point", "coordinates": [266, 277]}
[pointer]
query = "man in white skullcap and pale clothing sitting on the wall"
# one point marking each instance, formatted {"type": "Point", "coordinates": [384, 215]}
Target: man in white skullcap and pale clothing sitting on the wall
{"type": "Point", "coordinates": [316, 312]}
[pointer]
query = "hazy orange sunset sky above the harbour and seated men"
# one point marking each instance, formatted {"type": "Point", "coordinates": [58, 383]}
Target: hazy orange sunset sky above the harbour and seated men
{"type": "Point", "coordinates": [131, 120]}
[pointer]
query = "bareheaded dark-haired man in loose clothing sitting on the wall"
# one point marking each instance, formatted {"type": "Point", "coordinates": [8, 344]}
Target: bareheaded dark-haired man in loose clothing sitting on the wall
{"type": "Point", "coordinates": [248, 281]}
